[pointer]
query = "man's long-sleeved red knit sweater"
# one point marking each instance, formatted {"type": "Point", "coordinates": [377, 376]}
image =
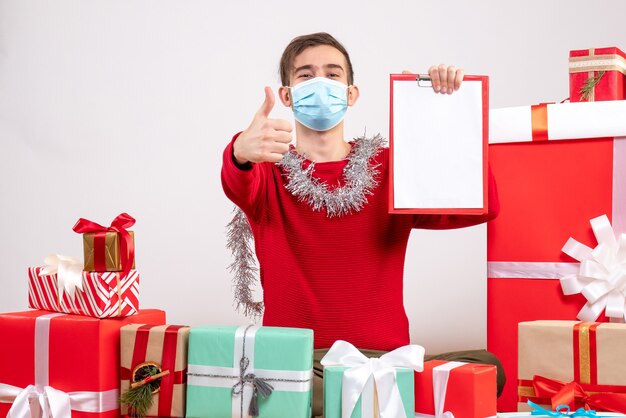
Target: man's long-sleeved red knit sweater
{"type": "Point", "coordinates": [341, 277]}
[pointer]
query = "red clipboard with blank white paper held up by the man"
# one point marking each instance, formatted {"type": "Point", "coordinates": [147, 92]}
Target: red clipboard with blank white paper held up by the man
{"type": "Point", "coordinates": [438, 146]}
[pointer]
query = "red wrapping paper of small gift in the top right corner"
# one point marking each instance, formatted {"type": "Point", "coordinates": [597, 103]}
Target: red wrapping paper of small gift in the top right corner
{"type": "Point", "coordinates": [612, 84]}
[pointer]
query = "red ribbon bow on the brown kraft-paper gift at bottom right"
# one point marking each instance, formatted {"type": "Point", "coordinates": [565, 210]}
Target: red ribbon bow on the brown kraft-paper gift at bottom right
{"type": "Point", "coordinates": [574, 395]}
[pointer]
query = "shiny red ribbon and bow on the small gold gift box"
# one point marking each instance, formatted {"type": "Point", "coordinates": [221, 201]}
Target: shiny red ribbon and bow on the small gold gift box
{"type": "Point", "coordinates": [119, 225]}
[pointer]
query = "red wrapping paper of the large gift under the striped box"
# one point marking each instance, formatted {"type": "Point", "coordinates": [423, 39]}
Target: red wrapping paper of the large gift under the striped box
{"type": "Point", "coordinates": [83, 352]}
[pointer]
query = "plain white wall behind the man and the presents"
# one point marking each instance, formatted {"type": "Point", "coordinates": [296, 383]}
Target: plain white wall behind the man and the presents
{"type": "Point", "coordinates": [111, 106]}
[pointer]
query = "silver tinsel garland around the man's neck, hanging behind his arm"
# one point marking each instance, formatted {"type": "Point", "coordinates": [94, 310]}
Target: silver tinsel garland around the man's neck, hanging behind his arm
{"type": "Point", "coordinates": [360, 179]}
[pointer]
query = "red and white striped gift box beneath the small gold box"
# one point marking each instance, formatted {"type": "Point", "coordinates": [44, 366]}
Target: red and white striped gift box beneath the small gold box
{"type": "Point", "coordinates": [103, 294]}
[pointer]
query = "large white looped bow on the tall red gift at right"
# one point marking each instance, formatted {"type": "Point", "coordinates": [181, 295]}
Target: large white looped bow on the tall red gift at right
{"type": "Point", "coordinates": [602, 274]}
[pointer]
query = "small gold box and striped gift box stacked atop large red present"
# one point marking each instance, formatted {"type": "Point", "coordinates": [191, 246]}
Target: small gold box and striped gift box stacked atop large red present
{"type": "Point", "coordinates": [107, 288]}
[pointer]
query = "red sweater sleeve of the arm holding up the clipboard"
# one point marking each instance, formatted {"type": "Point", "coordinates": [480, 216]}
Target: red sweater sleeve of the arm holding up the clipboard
{"type": "Point", "coordinates": [461, 221]}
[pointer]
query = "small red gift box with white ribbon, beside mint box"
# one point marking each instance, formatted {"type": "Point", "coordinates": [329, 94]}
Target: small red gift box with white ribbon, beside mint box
{"type": "Point", "coordinates": [466, 390]}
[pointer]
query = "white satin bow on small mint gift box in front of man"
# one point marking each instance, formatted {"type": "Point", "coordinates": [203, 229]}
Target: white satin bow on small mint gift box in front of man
{"type": "Point", "coordinates": [382, 369]}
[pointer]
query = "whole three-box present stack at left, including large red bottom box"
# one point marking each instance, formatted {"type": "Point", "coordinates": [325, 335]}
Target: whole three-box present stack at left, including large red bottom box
{"type": "Point", "coordinates": [63, 358]}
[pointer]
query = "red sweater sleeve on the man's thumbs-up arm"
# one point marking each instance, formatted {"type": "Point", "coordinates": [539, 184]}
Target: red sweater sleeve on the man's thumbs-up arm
{"type": "Point", "coordinates": [243, 184]}
